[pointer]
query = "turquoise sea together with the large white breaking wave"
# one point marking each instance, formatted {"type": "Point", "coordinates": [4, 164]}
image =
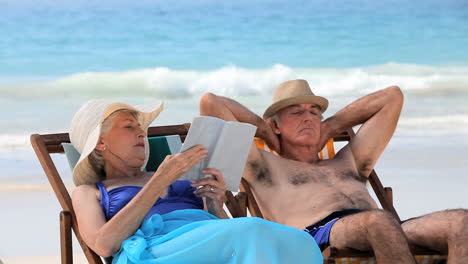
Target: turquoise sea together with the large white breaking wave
{"type": "Point", "coordinates": [174, 49]}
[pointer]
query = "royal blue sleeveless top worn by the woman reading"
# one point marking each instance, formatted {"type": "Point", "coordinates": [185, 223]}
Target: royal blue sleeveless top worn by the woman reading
{"type": "Point", "coordinates": [179, 196]}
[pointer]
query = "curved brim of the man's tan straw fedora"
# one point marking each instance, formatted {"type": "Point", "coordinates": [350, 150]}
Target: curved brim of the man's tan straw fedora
{"type": "Point", "coordinates": [303, 99]}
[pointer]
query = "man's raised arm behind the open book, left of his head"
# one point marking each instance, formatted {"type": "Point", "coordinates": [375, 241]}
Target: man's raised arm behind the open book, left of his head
{"type": "Point", "coordinates": [230, 110]}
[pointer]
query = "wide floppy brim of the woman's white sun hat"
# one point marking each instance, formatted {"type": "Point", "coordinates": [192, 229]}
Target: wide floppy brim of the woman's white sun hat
{"type": "Point", "coordinates": [83, 173]}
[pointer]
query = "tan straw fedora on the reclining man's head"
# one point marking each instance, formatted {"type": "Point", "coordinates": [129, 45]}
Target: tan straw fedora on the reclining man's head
{"type": "Point", "coordinates": [291, 93]}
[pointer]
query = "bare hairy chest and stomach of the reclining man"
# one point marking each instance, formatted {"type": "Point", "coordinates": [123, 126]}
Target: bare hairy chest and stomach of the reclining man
{"type": "Point", "coordinates": [306, 191]}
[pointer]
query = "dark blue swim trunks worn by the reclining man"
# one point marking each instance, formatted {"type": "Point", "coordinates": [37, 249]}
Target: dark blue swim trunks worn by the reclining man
{"type": "Point", "coordinates": [320, 231]}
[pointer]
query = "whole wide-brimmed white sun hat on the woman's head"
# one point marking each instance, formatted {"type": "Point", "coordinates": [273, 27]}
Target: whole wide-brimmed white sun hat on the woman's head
{"type": "Point", "coordinates": [86, 128]}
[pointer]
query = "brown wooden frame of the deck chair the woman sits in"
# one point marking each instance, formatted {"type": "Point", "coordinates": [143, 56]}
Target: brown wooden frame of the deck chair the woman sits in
{"type": "Point", "coordinates": [47, 144]}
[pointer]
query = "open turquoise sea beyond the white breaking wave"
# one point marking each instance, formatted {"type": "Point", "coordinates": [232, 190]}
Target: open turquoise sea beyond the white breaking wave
{"type": "Point", "coordinates": [50, 38]}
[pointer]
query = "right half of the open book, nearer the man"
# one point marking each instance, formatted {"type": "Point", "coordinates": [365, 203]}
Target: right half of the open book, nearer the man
{"type": "Point", "coordinates": [231, 152]}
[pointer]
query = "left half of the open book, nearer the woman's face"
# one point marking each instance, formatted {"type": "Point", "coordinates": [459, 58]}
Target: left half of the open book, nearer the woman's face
{"type": "Point", "coordinates": [204, 130]}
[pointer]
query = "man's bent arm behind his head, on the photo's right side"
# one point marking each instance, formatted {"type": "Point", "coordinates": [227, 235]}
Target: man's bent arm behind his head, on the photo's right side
{"type": "Point", "coordinates": [378, 113]}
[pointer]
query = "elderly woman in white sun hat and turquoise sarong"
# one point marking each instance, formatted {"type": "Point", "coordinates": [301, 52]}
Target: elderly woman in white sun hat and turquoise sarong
{"type": "Point", "coordinates": [152, 217]}
